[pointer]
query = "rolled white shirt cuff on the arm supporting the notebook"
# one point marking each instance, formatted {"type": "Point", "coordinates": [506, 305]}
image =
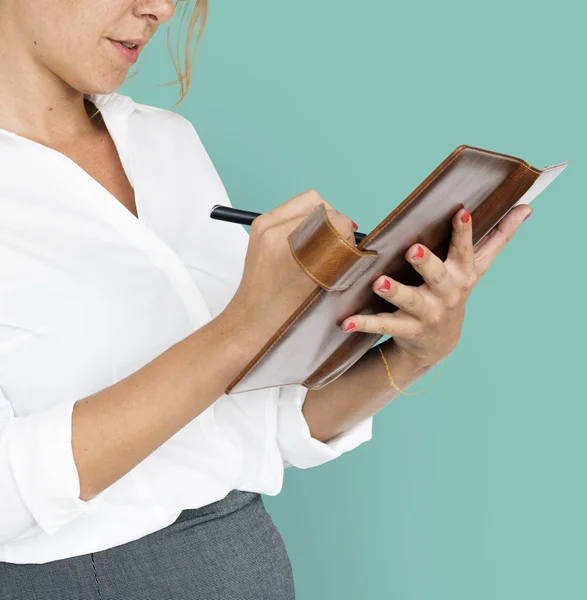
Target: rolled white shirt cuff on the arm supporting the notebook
{"type": "Point", "coordinates": [298, 448]}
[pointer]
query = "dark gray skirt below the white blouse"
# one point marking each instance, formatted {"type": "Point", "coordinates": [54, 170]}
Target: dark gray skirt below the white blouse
{"type": "Point", "coordinates": [227, 550]}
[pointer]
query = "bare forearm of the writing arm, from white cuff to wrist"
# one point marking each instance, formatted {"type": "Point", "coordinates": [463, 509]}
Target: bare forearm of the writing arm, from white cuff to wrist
{"type": "Point", "coordinates": [115, 429]}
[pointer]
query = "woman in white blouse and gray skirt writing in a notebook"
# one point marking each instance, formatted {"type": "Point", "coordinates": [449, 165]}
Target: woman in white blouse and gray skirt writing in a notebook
{"type": "Point", "coordinates": [125, 471]}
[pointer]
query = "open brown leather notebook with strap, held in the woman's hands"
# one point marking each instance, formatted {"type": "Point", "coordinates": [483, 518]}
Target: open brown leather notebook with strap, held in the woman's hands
{"type": "Point", "coordinates": [310, 348]}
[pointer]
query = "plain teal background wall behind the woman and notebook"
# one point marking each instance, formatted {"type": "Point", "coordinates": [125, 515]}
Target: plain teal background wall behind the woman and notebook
{"type": "Point", "coordinates": [475, 489]}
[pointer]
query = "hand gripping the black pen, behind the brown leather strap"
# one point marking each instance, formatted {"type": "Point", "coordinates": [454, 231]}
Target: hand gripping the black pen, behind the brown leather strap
{"type": "Point", "coordinates": [273, 285]}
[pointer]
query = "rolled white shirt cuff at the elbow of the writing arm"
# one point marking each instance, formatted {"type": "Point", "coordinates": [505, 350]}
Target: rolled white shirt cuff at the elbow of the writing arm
{"type": "Point", "coordinates": [41, 459]}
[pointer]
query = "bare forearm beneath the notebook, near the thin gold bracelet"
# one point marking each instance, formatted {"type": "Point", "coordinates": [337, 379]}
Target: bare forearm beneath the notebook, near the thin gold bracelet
{"type": "Point", "coordinates": [360, 392]}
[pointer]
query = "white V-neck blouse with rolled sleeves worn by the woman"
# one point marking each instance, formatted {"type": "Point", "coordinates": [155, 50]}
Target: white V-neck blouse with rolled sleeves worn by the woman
{"type": "Point", "coordinates": [88, 295]}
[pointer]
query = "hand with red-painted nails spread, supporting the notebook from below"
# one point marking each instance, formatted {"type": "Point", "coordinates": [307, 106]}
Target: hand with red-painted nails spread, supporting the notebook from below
{"type": "Point", "coordinates": [427, 326]}
